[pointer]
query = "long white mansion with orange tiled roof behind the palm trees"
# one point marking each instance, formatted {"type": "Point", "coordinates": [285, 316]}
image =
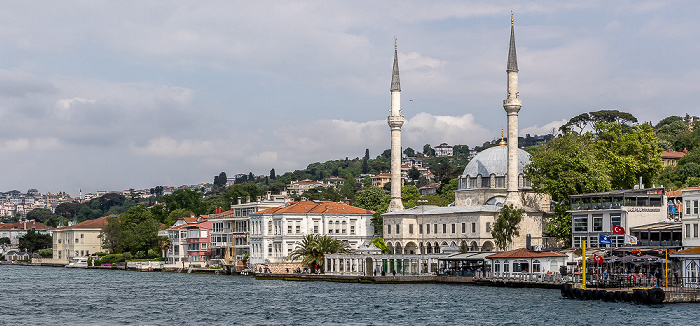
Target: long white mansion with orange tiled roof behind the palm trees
{"type": "Point", "coordinates": [274, 232]}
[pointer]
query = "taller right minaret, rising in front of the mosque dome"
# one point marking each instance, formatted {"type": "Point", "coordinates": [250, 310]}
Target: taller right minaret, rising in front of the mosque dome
{"type": "Point", "coordinates": [512, 106]}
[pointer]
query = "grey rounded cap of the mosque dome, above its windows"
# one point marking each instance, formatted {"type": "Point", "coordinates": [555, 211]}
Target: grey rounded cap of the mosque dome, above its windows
{"type": "Point", "coordinates": [494, 160]}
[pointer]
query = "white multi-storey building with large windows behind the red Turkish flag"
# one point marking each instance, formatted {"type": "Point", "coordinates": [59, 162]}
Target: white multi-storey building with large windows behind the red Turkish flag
{"type": "Point", "coordinates": [596, 213]}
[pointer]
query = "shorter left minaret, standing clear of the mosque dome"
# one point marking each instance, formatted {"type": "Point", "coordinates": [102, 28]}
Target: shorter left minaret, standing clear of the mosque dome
{"type": "Point", "coordinates": [395, 121]}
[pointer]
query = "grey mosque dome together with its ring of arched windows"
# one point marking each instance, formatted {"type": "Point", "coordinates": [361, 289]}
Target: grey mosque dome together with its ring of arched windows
{"type": "Point", "coordinates": [489, 168]}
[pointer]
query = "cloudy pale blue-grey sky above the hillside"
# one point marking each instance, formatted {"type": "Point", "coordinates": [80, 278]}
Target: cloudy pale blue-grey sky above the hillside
{"type": "Point", "coordinates": [112, 95]}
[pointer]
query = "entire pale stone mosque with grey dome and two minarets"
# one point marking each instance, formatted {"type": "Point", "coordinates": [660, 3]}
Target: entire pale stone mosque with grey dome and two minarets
{"type": "Point", "coordinates": [484, 187]}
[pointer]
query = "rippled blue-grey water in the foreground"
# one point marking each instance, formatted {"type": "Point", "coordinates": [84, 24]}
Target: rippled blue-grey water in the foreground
{"type": "Point", "coordinates": [64, 296]}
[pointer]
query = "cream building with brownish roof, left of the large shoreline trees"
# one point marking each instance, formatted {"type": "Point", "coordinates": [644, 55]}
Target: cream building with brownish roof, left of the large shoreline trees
{"type": "Point", "coordinates": [79, 240]}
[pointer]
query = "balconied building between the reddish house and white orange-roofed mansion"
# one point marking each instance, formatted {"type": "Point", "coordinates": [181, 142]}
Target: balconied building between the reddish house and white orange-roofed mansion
{"type": "Point", "coordinates": [230, 239]}
